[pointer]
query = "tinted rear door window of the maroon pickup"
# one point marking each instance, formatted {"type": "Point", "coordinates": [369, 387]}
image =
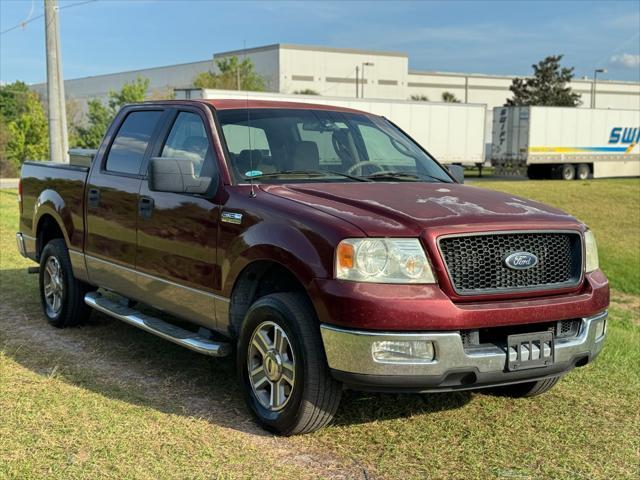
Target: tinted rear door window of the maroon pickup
{"type": "Point", "coordinates": [127, 149]}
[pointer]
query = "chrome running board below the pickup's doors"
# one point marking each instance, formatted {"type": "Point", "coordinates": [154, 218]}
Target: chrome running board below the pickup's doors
{"type": "Point", "coordinates": [162, 329]}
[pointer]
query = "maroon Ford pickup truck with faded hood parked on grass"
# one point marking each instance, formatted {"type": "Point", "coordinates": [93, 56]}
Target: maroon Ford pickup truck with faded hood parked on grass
{"type": "Point", "coordinates": [320, 244]}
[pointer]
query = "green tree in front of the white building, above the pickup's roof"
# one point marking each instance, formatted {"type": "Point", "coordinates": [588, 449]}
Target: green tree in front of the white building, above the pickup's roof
{"type": "Point", "coordinates": [233, 75]}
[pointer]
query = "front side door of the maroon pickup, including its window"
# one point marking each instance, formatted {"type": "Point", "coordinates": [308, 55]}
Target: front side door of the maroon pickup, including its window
{"type": "Point", "coordinates": [177, 233]}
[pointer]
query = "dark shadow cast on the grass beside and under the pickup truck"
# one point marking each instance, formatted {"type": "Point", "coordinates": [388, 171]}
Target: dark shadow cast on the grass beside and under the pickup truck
{"type": "Point", "coordinates": [120, 362]}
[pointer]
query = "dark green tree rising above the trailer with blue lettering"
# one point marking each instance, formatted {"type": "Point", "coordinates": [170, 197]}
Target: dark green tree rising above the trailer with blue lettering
{"type": "Point", "coordinates": [547, 87]}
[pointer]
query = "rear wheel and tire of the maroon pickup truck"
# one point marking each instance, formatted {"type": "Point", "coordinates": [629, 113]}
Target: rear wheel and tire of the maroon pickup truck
{"type": "Point", "coordinates": [61, 294]}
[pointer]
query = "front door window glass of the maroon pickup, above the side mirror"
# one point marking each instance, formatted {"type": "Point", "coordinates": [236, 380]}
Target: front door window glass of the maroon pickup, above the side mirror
{"type": "Point", "coordinates": [188, 140]}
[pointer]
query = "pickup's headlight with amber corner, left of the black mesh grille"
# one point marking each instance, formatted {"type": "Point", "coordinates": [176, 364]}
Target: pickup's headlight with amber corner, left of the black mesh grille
{"type": "Point", "coordinates": [383, 260]}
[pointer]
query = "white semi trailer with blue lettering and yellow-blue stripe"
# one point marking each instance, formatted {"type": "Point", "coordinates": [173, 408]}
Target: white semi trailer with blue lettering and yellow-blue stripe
{"type": "Point", "coordinates": [566, 143]}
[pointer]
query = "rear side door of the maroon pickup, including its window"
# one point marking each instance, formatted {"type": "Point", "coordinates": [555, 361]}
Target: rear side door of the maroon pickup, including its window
{"type": "Point", "coordinates": [112, 199]}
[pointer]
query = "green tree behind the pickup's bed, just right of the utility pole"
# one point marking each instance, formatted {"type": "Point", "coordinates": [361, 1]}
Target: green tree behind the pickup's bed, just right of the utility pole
{"type": "Point", "coordinates": [100, 116]}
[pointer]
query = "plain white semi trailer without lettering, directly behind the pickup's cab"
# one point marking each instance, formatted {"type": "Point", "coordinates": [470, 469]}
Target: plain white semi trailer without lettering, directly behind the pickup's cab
{"type": "Point", "coordinates": [453, 132]}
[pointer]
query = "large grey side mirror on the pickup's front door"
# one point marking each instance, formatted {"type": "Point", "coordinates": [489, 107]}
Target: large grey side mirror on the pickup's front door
{"type": "Point", "coordinates": [176, 175]}
